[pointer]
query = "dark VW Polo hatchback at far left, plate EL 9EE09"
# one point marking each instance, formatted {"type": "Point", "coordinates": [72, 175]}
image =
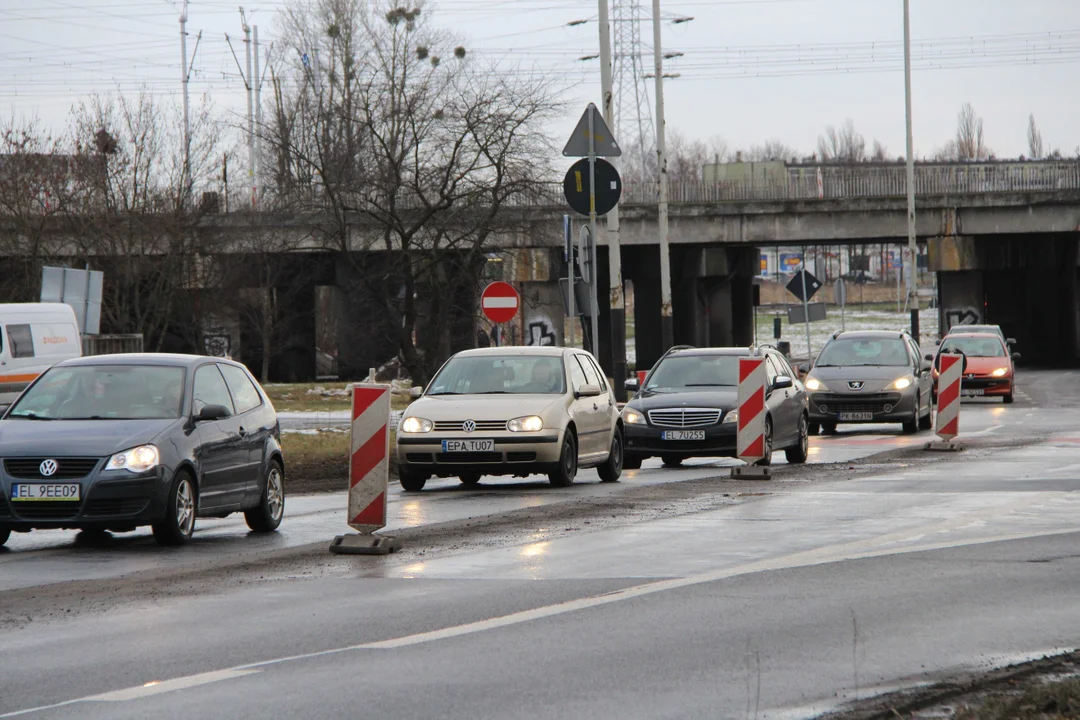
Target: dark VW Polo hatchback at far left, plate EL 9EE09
{"type": "Point", "coordinates": [111, 443]}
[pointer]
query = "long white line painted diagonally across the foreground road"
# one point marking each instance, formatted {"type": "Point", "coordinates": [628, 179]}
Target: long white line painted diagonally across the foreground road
{"type": "Point", "coordinates": [882, 547]}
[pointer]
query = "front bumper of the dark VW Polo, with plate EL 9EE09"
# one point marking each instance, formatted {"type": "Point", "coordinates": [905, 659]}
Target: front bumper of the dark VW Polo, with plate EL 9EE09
{"type": "Point", "coordinates": [114, 501]}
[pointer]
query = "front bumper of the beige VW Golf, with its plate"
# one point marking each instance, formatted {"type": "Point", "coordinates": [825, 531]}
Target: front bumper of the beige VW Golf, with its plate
{"type": "Point", "coordinates": [515, 454]}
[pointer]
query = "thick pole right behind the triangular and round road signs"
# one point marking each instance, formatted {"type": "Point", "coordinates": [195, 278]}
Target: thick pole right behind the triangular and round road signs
{"type": "Point", "coordinates": [618, 314]}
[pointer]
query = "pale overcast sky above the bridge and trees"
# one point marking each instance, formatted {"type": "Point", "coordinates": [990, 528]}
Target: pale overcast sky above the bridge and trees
{"type": "Point", "coordinates": [752, 71]}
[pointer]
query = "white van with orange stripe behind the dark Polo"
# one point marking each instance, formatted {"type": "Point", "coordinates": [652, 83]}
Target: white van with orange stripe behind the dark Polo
{"type": "Point", "coordinates": [34, 337]}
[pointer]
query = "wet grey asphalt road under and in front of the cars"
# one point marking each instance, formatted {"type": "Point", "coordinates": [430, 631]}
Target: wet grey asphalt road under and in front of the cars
{"type": "Point", "coordinates": [779, 606]}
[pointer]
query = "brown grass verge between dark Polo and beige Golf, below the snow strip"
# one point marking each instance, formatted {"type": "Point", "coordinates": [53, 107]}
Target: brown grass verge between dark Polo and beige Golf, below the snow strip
{"type": "Point", "coordinates": [320, 463]}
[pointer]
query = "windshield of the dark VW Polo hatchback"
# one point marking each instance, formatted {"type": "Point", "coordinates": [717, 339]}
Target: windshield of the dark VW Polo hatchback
{"type": "Point", "coordinates": [104, 392]}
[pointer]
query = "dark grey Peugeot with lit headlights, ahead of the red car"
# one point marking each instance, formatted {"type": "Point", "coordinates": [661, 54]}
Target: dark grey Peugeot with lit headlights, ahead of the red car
{"type": "Point", "coordinates": [879, 377]}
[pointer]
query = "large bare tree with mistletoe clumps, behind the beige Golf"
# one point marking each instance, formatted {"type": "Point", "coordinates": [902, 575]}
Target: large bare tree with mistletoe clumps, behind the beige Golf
{"type": "Point", "coordinates": [417, 151]}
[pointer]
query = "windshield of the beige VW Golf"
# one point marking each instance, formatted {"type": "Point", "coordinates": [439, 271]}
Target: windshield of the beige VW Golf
{"type": "Point", "coordinates": [497, 375]}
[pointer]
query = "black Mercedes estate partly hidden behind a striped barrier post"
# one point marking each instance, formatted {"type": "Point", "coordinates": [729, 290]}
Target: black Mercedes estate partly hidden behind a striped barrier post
{"type": "Point", "coordinates": [688, 409]}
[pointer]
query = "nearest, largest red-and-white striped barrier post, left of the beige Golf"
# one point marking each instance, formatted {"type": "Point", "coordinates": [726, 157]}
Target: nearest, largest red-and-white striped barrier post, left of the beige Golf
{"type": "Point", "coordinates": [369, 473]}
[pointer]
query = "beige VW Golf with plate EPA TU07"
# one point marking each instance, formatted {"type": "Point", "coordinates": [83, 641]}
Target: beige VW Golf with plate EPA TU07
{"type": "Point", "coordinates": [512, 412]}
